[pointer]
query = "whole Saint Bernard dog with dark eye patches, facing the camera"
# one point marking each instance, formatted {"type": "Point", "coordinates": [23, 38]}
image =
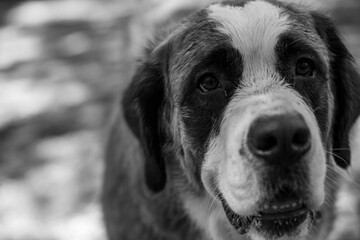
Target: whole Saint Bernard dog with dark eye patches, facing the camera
{"type": "Point", "coordinates": [234, 126]}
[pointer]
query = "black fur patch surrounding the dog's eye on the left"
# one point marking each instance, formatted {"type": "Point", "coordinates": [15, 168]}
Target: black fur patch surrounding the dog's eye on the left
{"type": "Point", "coordinates": [202, 112]}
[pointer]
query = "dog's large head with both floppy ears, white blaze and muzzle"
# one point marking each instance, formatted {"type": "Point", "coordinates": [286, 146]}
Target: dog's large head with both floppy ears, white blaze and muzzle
{"type": "Point", "coordinates": [256, 99]}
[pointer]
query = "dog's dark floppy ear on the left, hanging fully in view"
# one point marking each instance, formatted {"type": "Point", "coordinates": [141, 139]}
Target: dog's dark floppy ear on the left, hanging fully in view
{"type": "Point", "coordinates": [143, 104]}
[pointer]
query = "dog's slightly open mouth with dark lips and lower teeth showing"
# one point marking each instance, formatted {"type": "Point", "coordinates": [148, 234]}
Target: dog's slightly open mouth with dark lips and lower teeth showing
{"type": "Point", "coordinates": [274, 219]}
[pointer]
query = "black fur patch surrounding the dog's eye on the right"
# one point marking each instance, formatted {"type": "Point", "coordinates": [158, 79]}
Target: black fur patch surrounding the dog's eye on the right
{"type": "Point", "coordinates": [313, 89]}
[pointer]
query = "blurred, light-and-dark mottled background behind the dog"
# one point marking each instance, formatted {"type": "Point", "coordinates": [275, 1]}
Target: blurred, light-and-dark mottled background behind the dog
{"type": "Point", "coordinates": [61, 64]}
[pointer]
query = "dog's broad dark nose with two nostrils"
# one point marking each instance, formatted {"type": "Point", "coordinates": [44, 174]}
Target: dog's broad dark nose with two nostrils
{"type": "Point", "coordinates": [280, 139]}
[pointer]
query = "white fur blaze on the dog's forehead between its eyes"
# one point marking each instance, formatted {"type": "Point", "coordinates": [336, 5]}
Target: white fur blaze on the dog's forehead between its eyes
{"type": "Point", "coordinates": [254, 30]}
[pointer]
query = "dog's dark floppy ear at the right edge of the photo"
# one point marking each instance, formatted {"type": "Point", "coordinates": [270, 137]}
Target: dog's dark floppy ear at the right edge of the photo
{"type": "Point", "coordinates": [346, 82]}
